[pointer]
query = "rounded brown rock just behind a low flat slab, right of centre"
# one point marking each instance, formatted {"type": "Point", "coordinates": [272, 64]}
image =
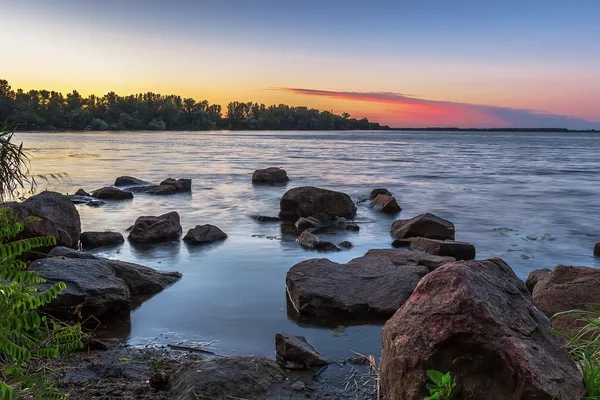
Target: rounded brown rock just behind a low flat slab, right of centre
{"type": "Point", "coordinates": [424, 225]}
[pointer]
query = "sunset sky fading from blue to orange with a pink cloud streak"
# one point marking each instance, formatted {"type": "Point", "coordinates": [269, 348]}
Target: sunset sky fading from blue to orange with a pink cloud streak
{"type": "Point", "coordinates": [404, 63]}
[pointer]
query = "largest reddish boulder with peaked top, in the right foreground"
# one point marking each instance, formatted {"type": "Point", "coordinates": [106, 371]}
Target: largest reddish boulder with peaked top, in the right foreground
{"type": "Point", "coordinates": [477, 320]}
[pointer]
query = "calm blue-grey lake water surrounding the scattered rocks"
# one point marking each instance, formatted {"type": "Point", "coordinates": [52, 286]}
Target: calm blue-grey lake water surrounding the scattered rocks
{"type": "Point", "coordinates": [532, 199]}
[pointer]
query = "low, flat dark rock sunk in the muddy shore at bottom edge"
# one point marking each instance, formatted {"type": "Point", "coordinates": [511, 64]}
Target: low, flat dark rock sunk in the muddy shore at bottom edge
{"type": "Point", "coordinates": [247, 377]}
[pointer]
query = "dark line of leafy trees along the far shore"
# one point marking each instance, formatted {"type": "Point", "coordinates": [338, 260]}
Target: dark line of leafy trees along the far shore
{"type": "Point", "coordinates": [50, 110]}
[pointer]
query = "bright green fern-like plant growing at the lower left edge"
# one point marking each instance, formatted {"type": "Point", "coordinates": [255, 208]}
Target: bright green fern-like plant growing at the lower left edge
{"type": "Point", "coordinates": [25, 335]}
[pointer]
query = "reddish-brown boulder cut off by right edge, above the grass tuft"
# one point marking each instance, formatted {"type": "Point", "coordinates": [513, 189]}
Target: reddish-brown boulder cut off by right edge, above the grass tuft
{"type": "Point", "coordinates": [567, 288]}
